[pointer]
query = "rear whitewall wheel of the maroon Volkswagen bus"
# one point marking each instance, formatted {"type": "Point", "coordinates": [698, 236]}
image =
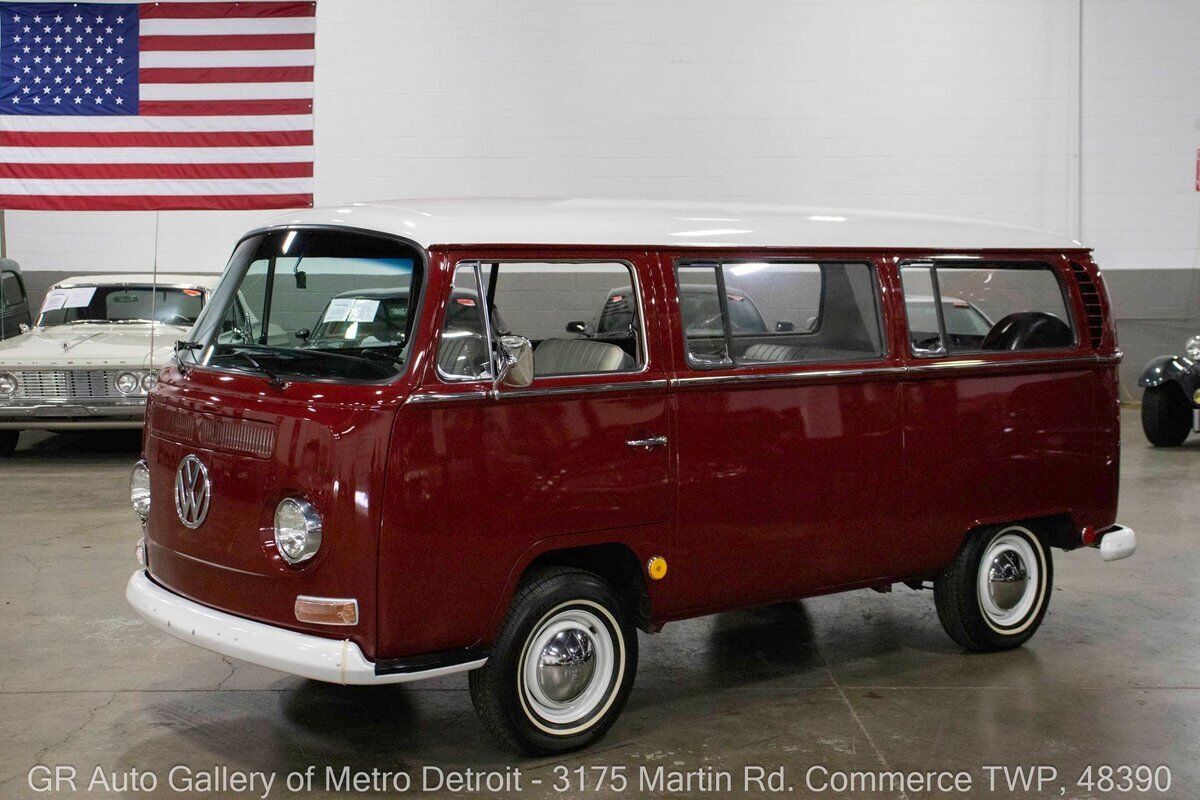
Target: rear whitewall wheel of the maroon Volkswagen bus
{"type": "Point", "coordinates": [995, 593]}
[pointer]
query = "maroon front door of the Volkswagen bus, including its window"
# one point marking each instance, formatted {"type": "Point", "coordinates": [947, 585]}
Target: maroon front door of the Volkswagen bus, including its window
{"type": "Point", "coordinates": [499, 476]}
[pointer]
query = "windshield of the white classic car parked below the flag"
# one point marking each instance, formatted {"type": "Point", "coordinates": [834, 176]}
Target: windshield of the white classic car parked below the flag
{"type": "Point", "coordinates": [119, 304]}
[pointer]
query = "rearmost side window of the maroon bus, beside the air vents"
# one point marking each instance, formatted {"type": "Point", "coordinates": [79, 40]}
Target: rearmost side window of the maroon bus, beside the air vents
{"type": "Point", "coordinates": [971, 308]}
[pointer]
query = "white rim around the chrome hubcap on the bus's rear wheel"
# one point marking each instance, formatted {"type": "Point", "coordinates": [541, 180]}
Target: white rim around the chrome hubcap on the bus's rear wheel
{"type": "Point", "coordinates": [1015, 548]}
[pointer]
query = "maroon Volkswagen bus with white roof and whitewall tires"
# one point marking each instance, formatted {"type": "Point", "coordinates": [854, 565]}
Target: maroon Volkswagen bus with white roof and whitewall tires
{"type": "Point", "coordinates": [500, 438]}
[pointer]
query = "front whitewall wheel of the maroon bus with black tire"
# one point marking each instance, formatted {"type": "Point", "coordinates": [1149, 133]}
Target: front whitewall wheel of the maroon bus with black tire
{"type": "Point", "coordinates": [562, 666]}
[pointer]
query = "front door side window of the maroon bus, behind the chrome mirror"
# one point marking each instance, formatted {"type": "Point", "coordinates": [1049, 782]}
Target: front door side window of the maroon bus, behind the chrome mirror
{"type": "Point", "coordinates": [581, 318]}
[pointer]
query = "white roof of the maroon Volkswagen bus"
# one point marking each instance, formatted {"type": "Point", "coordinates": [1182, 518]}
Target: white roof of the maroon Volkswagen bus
{"type": "Point", "coordinates": [668, 224]}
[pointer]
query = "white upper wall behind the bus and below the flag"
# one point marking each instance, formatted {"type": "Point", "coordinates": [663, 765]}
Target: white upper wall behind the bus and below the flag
{"type": "Point", "coordinates": [955, 106]}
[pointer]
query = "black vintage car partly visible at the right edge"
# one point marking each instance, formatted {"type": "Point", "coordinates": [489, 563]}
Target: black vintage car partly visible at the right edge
{"type": "Point", "coordinates": [1171, 400]}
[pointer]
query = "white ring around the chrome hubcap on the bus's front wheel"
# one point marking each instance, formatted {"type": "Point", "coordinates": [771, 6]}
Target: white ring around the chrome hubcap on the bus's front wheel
{"type": "Point", "coordinates": [579, 713]}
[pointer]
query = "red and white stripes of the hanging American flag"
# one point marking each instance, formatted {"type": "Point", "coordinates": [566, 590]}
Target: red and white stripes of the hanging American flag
{"type": "Point", "coordinates": [225, 121]}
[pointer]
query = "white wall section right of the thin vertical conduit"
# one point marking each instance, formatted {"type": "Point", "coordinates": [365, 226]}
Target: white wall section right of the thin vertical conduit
{"type": "Point", "coordinates": [1142, 131]}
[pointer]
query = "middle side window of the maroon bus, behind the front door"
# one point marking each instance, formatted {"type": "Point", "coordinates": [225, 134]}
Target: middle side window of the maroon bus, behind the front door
{"type": "Point", "coordinates": [779, 312]}
